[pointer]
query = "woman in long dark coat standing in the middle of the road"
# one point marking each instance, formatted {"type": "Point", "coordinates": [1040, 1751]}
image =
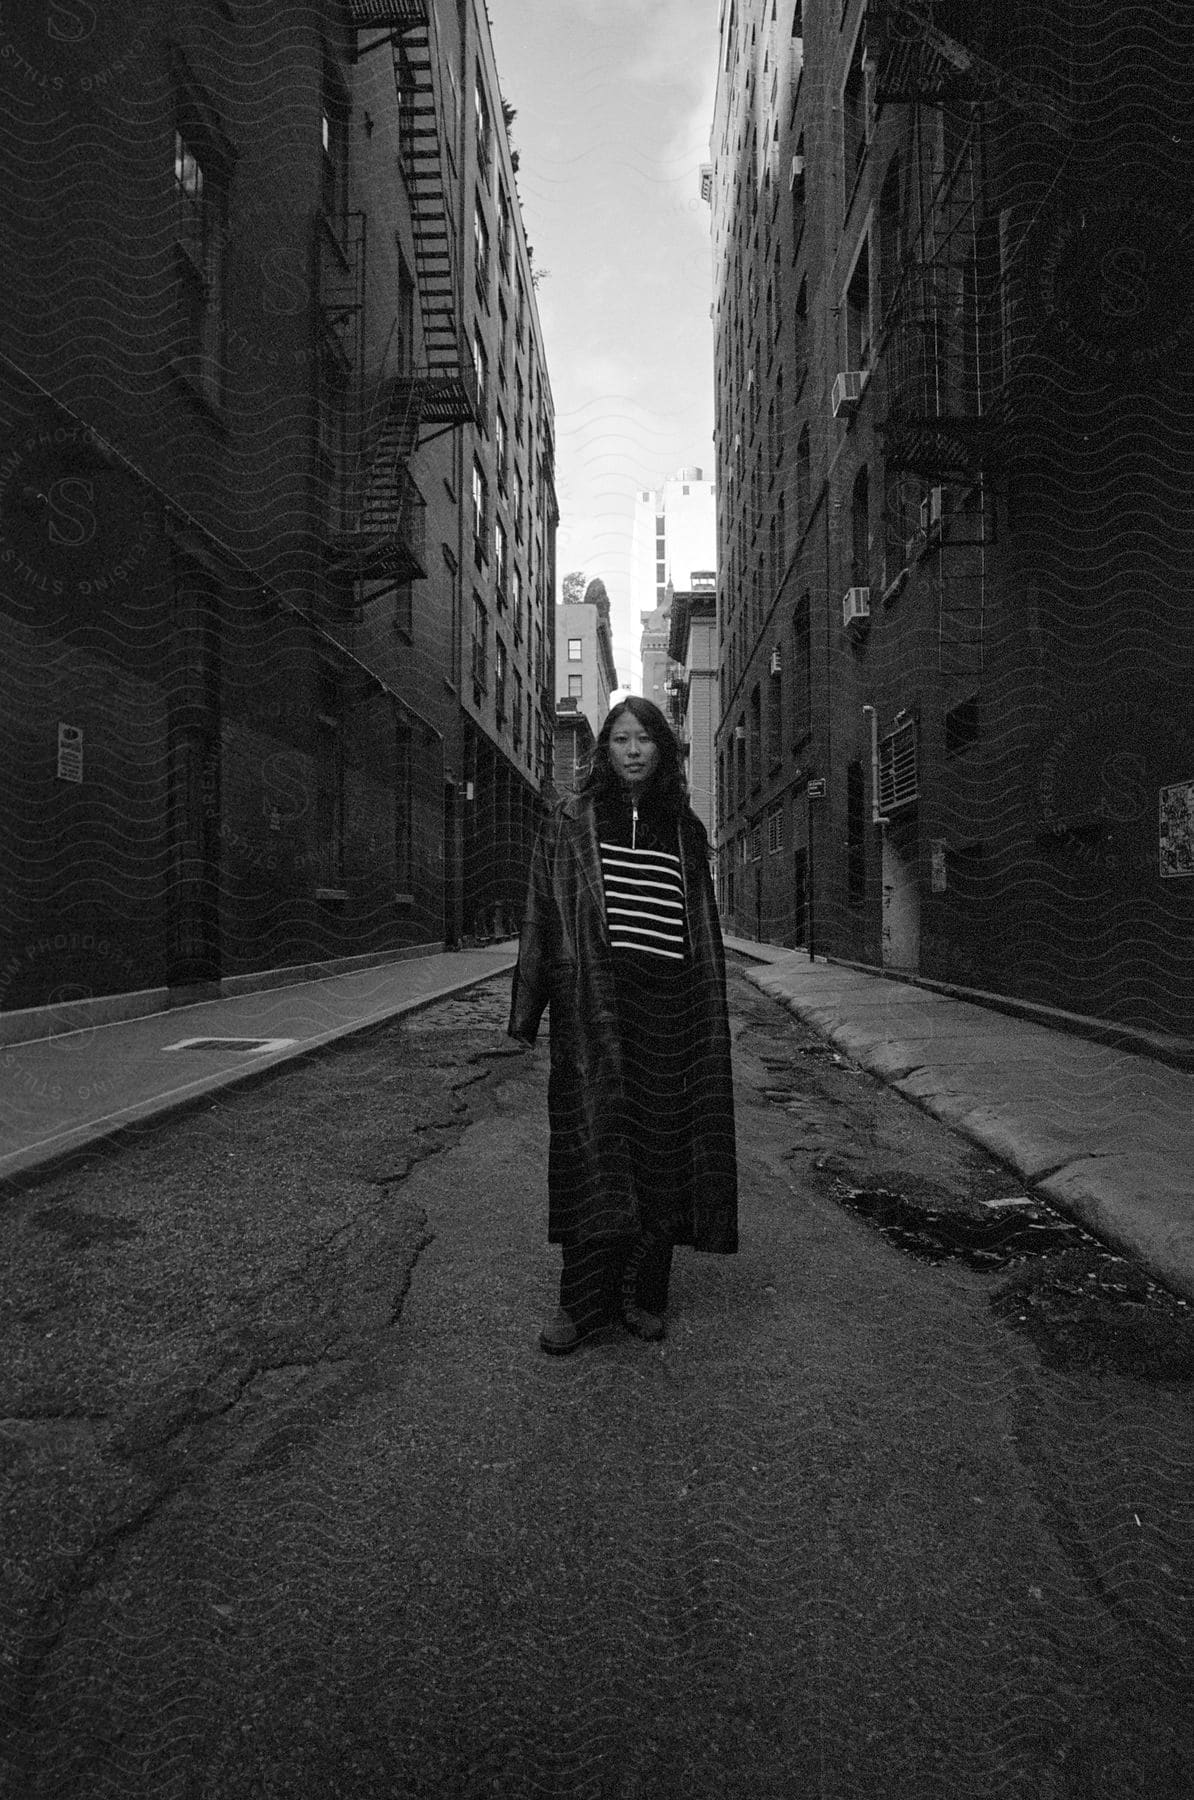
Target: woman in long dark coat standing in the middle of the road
{"type": "Point", "coordinates": [620, 939]}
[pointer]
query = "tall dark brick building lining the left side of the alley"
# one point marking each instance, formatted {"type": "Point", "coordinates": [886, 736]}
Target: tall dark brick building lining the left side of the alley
{"type": "Point", "coordinates": [276, 499]}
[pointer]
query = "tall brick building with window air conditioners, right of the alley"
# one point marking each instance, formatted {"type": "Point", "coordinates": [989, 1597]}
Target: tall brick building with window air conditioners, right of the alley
{"type": "Point", "coordinates": [954, 366]}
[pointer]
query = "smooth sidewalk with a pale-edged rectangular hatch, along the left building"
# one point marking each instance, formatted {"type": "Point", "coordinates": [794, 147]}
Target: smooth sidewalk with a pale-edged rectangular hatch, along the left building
{"type": "Point", "coordinates": [62, 1095]}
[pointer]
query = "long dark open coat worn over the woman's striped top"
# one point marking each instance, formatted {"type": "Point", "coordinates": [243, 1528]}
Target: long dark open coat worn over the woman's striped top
{"type": "Point", "coordinates": [566, 964]}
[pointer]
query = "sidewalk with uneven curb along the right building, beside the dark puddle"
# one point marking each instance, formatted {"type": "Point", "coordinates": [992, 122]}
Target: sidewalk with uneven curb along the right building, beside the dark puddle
{"type": "Point", "coordinates": [1103, 1133]}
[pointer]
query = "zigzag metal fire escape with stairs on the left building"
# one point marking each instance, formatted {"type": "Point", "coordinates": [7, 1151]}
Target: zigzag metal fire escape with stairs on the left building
{"type": "Point", "coordinates": [412, 400]}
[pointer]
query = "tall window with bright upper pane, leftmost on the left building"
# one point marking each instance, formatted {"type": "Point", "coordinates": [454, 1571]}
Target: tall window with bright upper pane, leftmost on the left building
{"type": "Point", "coordinates": [201, 226]}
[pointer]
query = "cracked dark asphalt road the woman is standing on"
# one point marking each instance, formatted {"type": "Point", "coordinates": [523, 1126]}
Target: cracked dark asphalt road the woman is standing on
{"type": "Point", "coordinates": [294, 1507]}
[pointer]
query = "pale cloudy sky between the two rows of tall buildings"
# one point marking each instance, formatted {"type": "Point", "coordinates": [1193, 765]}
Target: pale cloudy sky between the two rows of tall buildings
{"type": "Point", "coordinates": [615, 103]}
